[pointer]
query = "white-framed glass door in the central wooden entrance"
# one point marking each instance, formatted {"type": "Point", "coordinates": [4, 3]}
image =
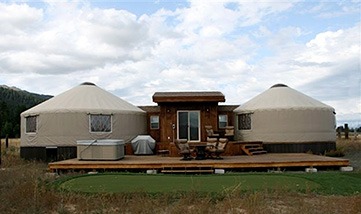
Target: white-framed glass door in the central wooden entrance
{"type": "Point", "coordinates": [188, 125]}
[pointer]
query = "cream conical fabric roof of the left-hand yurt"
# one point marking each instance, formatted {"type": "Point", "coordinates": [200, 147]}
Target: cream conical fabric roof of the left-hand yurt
{"type": "Point", "coordinates": [86, 97]}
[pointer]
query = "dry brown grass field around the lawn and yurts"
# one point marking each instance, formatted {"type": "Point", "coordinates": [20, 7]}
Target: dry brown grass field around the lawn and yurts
{"type": "Point", "coordinates": [25, 188]}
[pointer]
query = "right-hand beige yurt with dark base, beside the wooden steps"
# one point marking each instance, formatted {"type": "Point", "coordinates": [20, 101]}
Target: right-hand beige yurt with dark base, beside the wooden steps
{"type": "Point", "coordinates": [286, 120]}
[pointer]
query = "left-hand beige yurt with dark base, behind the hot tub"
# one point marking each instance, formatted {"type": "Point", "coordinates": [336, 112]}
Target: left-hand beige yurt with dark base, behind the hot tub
{"type": "Point", "coordinates": [51, 129]}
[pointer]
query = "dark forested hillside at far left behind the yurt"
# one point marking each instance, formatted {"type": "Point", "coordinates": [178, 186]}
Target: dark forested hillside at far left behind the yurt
{"type": "Point", "coordinates": [13, 101]}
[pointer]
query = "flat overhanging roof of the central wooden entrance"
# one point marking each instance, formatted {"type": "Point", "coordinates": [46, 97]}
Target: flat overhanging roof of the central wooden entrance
{"type": "Point", "coordinates": [203, 96]}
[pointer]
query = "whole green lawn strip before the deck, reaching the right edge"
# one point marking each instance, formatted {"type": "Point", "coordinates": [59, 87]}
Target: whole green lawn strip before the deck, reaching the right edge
{"type": "Point", "coordinates": [326, 182]}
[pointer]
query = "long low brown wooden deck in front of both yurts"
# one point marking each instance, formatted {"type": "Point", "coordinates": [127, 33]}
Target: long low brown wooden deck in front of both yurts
{"type": "Point", "coordinates": [274, 160]}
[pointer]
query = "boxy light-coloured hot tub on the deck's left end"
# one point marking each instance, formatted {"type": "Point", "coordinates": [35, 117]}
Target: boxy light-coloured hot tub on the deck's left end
{"type": "Point", "coordinates": [105, 149]}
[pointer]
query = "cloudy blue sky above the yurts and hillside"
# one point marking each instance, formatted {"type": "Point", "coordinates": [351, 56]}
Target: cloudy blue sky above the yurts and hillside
{"type": "Point", "coordinates": [136, 48]}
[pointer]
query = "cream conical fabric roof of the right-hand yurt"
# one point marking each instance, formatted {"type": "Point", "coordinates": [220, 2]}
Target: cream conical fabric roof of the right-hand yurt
{"type": "Point", "coordinates": [279, 97]}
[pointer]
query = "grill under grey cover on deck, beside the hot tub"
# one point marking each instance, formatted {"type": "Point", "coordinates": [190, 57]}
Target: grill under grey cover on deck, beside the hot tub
{"type": "Point", "coordinates": [143, 145]}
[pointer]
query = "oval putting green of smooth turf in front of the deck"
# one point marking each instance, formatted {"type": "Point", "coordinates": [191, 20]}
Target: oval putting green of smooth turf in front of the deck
{"type": "Point", "coordinates": [174, 183]}
